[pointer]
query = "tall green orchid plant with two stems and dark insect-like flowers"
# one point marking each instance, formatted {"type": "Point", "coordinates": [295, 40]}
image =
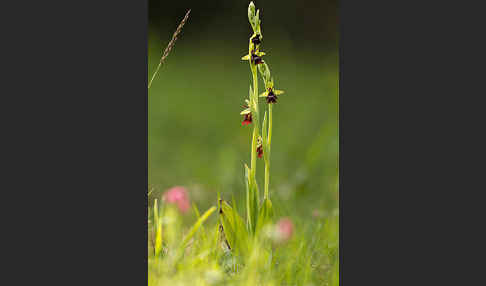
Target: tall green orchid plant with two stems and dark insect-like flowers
{"type": "Point", "coordinates": [258, 213]}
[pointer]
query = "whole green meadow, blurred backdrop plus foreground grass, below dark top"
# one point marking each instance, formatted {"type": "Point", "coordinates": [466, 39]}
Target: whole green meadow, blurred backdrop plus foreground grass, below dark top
{"type": "Point", "coordinates": [196, 140]}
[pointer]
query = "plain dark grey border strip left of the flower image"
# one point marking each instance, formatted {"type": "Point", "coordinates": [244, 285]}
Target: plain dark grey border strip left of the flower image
{"type": "Point", "coordinates": [75, 101]}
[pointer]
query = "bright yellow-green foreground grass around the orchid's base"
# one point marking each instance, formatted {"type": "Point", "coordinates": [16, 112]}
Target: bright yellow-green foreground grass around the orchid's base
{"type": "Point", "coordinates": [311, 257]}
